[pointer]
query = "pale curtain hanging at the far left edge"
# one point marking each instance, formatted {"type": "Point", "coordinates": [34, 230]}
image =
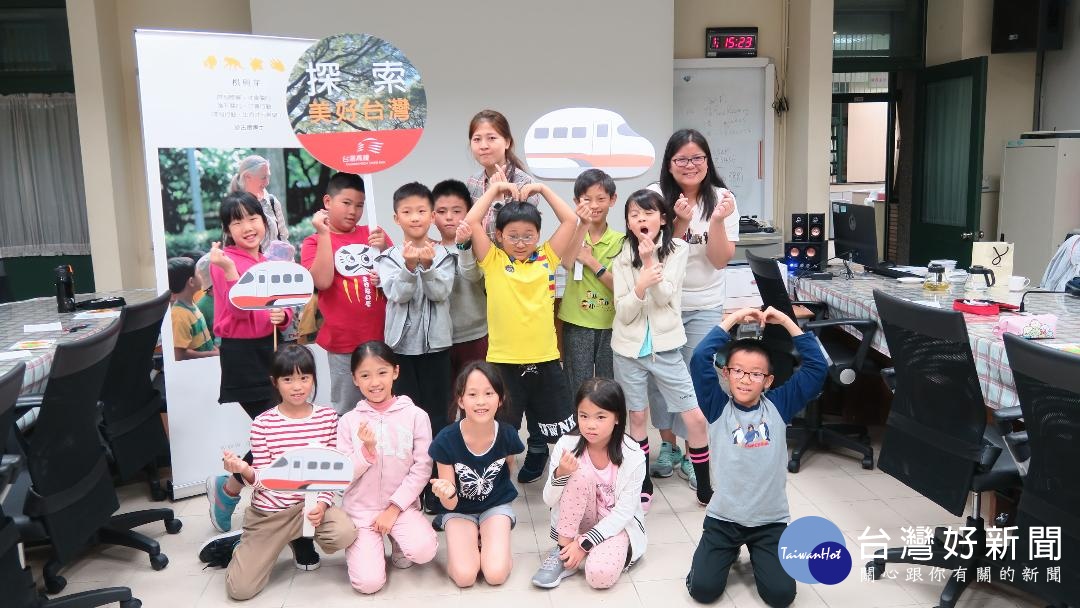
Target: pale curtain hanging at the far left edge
{"type": "Point", "coordinates": [43, 201]}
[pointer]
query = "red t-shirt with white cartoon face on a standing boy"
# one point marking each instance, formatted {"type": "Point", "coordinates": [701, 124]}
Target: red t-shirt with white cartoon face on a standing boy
{"type": "Point", "coordinates": [355, 310]}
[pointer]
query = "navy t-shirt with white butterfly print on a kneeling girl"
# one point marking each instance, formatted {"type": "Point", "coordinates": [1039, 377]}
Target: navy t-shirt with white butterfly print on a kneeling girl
{"type": "Point", "coordinates": [483, 480]}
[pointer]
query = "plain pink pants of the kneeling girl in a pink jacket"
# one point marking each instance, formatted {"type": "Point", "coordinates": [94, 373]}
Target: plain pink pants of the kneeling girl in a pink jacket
{"type": "Point", "coordinates": [367, 558]}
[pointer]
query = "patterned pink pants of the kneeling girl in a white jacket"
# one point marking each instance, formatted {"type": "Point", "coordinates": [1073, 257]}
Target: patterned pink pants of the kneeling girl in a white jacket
{"type": "Point", "coordinates": [577, 515]}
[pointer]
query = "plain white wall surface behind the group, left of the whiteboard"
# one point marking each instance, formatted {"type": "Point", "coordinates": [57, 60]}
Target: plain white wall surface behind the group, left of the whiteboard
{"type": "Point", "coordinates": [523, 60]}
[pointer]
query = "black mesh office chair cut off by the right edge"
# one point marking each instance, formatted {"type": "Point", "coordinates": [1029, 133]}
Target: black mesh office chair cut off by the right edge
{"type": "Point", "coordinates": [1048, 385]}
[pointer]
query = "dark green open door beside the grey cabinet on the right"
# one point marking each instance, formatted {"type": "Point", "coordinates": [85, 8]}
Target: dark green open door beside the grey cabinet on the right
{"type": "Point", "coordinates": [949, 168]}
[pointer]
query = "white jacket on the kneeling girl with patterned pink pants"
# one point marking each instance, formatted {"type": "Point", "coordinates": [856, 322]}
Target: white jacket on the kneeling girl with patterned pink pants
{"type": "Point", "coordinates": [627, 515]}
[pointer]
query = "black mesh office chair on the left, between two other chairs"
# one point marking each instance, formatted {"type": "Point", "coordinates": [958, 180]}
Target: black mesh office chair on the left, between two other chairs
{"type": "Point", "coordinates": [71, 498]}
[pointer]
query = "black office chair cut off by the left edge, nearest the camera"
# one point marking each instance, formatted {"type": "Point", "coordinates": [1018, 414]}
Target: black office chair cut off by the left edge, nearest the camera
{"type": "Point", "coordinates": [17, 583]}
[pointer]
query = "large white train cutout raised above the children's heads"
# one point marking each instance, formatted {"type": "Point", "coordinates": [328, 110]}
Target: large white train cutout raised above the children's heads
{"type": "Point", "coordinates": [564, 144]}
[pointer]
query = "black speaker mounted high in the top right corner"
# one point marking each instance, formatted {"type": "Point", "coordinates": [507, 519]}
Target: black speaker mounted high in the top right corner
{"type": "Point", "coordinates": [1028, 25]}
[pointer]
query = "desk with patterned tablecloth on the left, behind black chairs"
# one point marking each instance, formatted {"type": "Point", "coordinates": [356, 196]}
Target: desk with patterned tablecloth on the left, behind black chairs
{"type": "Point", "coordinates": [15, 316]}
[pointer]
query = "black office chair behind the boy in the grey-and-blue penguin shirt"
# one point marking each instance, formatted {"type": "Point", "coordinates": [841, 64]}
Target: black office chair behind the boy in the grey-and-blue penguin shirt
{"type": "Point", "coordinates": [844, 368]}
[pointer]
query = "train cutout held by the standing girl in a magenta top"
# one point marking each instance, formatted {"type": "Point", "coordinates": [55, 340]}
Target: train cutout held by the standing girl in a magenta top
{"type": "Point", "coordinates": [273, 285]}
